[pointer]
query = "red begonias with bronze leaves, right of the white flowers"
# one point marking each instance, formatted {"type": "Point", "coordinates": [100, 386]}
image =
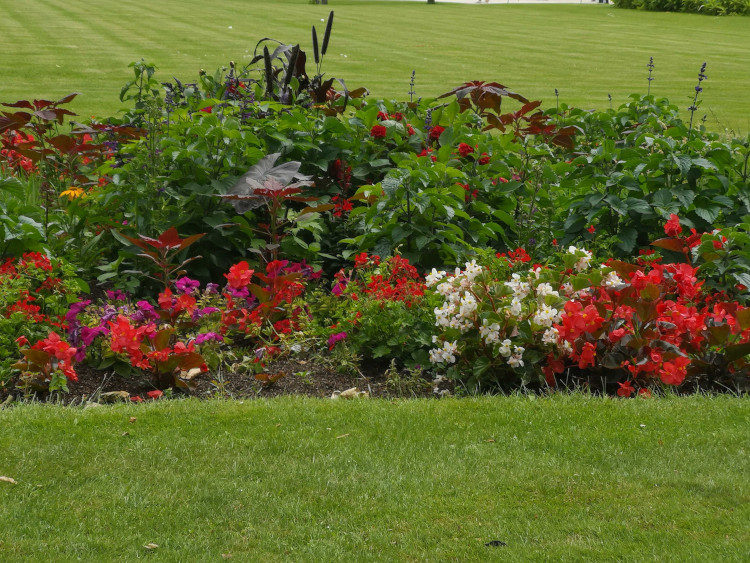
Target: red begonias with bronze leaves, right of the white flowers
{"type": "Point", "coordinates": [650, 322]}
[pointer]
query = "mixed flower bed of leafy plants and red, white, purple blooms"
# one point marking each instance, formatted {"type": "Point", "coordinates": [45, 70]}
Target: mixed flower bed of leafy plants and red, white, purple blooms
{"type": "Point", "coordinates": [247, 219]}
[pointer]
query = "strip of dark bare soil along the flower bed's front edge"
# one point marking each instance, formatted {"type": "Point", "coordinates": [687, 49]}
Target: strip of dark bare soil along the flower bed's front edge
{"type": "Point", "coordinates": [300, 377]}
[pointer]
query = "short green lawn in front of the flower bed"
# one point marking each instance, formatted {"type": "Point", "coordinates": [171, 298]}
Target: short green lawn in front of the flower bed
{"type": "Point", "coordinates": [566, 478]}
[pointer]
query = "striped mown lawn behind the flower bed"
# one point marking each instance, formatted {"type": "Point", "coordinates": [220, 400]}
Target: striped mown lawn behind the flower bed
{"type": "Point", "coordinates": [52, 47]}
